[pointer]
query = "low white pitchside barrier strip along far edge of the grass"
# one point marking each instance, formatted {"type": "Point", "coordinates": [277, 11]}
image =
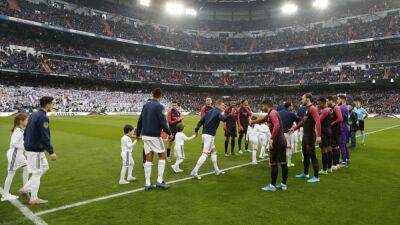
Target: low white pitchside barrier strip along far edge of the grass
{"type": "Point", "coordinates": [67, 114]}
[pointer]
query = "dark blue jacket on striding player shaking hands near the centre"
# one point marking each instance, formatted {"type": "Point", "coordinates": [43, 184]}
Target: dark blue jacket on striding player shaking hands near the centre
{"type": "Point", "coordinates": [211, 121]}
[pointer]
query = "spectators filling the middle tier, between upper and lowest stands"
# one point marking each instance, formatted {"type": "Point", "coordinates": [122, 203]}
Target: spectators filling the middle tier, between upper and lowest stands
{"type": "Point", "coordinates": [20, 60]}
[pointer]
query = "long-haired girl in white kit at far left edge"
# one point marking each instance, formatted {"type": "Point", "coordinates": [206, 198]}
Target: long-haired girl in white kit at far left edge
{"type": "Point", "coordinates": [15, 156]}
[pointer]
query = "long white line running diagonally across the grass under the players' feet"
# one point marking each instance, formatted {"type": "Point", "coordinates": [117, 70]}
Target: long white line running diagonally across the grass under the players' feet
{"type": "Point", "coordinates": [106, 197]}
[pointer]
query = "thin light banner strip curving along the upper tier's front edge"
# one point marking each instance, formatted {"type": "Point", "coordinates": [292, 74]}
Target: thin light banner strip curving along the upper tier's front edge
{"type": "Point", "coordinates": [99, 36]}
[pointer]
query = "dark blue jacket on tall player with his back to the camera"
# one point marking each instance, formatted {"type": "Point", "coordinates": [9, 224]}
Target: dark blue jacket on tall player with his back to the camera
{"type": "Point", "coordinates": [152, 120]}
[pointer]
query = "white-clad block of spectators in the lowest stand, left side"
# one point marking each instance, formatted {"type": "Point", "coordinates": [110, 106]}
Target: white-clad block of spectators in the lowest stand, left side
{"type": "Point", "coordinates": [18, 98]}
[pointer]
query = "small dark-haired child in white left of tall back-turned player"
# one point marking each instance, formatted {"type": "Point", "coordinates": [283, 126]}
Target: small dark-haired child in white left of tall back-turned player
{"type": "Point", "coordinates": [126, 154]}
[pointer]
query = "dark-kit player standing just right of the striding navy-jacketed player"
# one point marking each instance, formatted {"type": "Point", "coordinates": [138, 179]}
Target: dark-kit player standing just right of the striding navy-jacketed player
{"type": "Point", "coordinates": [230, 129]}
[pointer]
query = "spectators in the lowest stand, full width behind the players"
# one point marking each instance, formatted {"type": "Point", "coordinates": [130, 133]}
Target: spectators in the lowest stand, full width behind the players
{"type": "Point", "coordinates": [17, 98]}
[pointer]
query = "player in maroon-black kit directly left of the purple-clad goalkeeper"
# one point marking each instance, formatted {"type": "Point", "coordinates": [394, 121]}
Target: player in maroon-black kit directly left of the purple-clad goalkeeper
{"type": "Point", "coordinates": [336, 127]}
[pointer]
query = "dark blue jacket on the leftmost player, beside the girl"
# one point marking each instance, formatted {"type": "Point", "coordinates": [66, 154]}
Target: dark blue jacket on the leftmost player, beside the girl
{"type": "Point", "coordinates": [37, 133]}
